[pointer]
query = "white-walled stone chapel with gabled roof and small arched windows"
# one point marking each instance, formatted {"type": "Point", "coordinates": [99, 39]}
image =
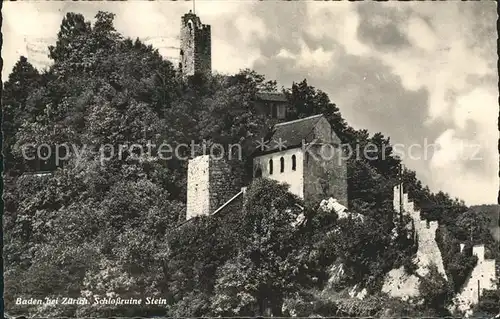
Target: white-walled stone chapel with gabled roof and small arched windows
{"type": "Point", "coordinates": [305, 154]}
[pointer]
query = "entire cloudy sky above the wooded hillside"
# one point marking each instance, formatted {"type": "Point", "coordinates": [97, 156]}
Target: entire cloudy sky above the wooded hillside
{"type": "Point", "coordinates": [423, 73]}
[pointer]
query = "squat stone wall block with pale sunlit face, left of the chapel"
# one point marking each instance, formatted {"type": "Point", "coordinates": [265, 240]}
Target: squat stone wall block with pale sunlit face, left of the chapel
{"type": "Point", "coordinates": [211, 183]}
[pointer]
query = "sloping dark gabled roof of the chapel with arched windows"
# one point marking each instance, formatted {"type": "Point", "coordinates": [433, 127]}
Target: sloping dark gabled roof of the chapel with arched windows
{"type": "Point", "coordinates": [291, 134]}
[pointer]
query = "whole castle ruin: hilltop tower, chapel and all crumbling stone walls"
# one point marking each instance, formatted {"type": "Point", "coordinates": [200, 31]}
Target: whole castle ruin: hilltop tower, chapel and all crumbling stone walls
{"type": "Point", "coordinates": [214, 185]}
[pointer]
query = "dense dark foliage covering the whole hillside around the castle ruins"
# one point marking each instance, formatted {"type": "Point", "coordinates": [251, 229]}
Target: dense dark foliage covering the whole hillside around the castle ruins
{"type": "Point", "coordinates": [104, 227]}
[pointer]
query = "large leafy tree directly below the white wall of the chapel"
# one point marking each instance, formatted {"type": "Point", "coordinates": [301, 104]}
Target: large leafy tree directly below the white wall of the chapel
{"type": "Point", "coordinates": [269, 260]}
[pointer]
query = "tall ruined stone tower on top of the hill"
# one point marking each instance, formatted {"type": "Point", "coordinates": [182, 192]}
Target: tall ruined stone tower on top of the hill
{"type": "Point", "coordinates": [195, 46]}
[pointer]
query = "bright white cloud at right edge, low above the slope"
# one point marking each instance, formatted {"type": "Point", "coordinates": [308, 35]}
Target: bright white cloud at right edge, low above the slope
{"type": "Point", "coordinates": [467, 151]}
